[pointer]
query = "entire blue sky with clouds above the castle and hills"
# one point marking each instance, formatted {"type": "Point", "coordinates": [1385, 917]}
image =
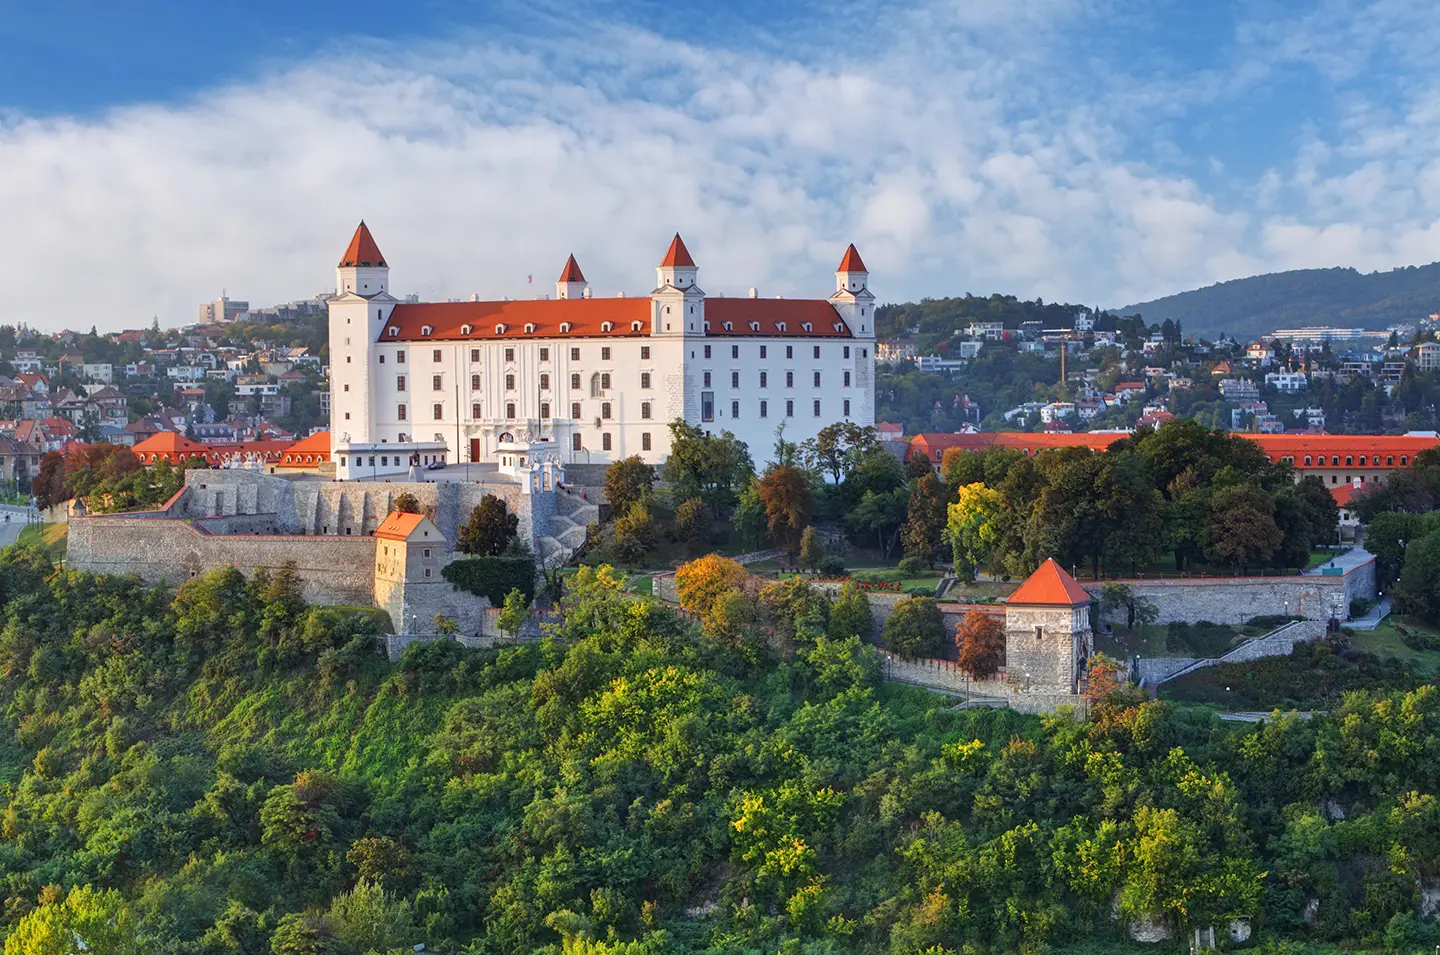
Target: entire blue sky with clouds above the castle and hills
{"type": "Point", "coordinates": [1099, 152]}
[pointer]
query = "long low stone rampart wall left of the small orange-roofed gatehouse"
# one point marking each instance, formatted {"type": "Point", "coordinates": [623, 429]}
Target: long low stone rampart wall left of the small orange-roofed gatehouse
{"type": "Point", "coordinates": [333, 570]}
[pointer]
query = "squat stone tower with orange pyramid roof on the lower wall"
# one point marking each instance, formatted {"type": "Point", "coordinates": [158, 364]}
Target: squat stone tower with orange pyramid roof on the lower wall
{"type": "Point", "coordinates": [1048, 632]}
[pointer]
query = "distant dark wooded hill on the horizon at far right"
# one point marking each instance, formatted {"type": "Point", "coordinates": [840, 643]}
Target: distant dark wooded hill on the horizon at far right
{"type": "Point", "coordinates": [1346, 297]}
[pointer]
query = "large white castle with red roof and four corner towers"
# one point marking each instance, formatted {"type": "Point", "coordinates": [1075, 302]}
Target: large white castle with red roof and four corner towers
{"type": "Point", "coordinates": [582, 380]}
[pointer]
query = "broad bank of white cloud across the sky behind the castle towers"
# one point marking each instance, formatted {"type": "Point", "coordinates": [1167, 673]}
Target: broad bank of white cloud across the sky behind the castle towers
{"type": "Point", "coordinates": [957, 158]}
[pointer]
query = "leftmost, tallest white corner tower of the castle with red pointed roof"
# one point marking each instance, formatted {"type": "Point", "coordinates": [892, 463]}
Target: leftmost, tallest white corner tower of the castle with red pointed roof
{"type": "Point", "coordinates": [358, 315]}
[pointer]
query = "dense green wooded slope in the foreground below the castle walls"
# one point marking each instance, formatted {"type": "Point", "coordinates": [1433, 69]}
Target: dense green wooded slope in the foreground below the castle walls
{"type": "Point", "coordinates": [225, 771]}
